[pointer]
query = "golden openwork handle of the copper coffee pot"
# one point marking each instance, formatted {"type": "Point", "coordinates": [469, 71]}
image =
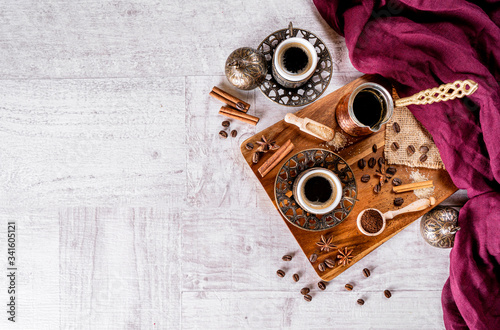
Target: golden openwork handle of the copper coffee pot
{"type": "Point", "coordinates": [442, 93]}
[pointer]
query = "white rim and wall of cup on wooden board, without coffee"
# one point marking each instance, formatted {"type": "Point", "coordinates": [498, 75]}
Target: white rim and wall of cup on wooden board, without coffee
{"type": "Point", "coordinates": [317, 207]}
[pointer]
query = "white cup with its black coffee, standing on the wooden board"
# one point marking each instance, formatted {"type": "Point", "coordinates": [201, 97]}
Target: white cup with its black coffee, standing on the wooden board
{"type": "Point", "coordinates": [317, 190]}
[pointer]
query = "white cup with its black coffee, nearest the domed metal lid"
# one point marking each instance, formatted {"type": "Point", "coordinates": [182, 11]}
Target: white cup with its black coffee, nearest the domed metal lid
{"type": "Point", "coordinates": [294, 62]}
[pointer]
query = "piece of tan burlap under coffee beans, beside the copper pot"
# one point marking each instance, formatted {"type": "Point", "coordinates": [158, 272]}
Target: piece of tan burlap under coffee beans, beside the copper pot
{"type": "Point", "coordinates": [412, 133]}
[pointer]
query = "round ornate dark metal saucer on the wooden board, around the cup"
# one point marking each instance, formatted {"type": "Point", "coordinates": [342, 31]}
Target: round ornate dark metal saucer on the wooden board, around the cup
{"type": "Point", "coordinates": [302, 161]}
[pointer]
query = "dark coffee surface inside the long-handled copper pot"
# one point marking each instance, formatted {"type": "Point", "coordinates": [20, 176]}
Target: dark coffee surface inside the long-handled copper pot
{"type": "Point", "coordinates": [368, 108]}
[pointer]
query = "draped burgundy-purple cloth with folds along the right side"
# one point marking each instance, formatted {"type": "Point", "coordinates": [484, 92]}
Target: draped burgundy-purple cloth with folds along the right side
{"type": "Point", "coordinates": [419, 45]}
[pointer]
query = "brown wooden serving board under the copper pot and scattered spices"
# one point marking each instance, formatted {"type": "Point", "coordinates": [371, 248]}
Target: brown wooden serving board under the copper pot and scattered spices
{"type": "Point", "coordinates": [346, 234]}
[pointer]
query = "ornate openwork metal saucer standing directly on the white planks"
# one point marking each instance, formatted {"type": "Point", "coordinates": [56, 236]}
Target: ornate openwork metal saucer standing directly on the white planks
{"type": "Point", "coordinates": [313, 88]}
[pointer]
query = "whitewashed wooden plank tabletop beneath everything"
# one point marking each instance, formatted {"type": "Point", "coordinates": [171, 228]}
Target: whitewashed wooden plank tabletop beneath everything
{"type": "Point", "coordinates": [131, 212]}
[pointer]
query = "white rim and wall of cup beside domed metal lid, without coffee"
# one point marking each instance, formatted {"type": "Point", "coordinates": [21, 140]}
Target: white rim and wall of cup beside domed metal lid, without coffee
{"type": "Point", "coordinates": [290, 79]}
